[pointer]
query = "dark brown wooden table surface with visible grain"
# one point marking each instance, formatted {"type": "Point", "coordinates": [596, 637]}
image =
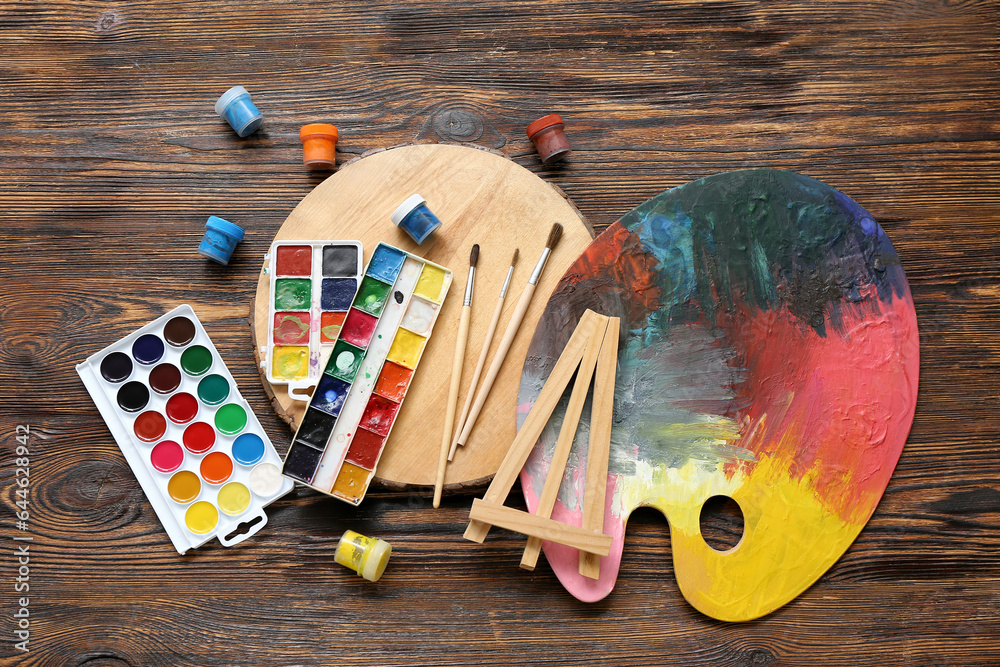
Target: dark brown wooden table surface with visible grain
{"type": "Point", "coordinates": [111, 159]}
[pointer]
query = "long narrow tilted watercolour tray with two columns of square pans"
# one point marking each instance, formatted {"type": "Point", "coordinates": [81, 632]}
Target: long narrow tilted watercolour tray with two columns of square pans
{"type": "Point", "coordinates": [347, 423]}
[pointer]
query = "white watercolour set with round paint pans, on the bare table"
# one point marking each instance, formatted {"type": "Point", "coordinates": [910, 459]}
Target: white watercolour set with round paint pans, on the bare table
{"type": "Point", "coordinates": [202, 458]}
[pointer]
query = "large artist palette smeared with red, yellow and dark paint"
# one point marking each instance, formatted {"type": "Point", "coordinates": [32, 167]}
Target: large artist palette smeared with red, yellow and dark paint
{"type": "Point", "coordinates": [769, 353]}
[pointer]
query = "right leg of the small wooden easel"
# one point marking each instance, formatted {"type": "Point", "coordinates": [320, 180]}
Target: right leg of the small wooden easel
{"type": "Point", "coordinates": [601, 417]}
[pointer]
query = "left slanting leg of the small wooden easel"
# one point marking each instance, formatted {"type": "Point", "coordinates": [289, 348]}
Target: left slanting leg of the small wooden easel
{"type": "Point", "coordinates": [535, 422]}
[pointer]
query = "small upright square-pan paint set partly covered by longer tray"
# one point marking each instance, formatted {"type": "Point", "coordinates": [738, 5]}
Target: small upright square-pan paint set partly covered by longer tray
{"type": "Point", "coordinates": [313, 284]}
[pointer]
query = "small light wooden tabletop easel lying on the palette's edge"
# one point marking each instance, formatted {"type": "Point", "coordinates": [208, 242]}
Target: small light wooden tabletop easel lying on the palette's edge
{"type": "Point", "coordinates": [593, 348]}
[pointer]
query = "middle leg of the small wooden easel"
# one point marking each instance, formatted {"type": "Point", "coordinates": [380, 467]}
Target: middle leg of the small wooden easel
{"type": "Point", "coordinates": [560, 455]}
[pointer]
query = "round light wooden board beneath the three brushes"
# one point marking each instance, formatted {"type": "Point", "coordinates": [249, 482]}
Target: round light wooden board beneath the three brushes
{"type": "Point", "coordinates": [481, 197]}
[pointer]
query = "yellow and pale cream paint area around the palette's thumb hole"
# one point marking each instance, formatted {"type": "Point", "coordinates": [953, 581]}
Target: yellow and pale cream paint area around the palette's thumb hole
{"type": "Point", "coordinates": [789, 537]}
